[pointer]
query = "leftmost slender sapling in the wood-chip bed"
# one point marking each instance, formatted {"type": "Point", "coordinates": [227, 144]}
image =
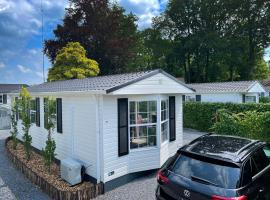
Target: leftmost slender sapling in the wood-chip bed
{"type": "Point", "coordinates": [14, 123]}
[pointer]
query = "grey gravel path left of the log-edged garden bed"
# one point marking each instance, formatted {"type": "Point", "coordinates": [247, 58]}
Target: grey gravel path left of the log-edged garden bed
{"type": "Point", "coordinates": [13, 184]}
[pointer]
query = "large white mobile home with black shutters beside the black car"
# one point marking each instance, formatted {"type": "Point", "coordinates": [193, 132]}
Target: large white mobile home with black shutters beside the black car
{"type": "Point", "coordinates": [116, 125]}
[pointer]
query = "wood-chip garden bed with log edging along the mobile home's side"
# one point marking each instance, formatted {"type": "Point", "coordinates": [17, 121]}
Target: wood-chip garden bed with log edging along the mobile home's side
{"type": "Point", "coordinates": [50, 182]}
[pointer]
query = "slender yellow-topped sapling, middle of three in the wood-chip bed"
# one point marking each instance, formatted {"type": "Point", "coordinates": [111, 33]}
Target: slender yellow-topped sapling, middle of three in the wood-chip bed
{"type": "Point", "coordinates": [24, 109]}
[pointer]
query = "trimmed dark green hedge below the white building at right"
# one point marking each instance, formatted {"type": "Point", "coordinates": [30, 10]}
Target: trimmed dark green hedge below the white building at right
{"type": "Point", "coordinates": [201, 116]}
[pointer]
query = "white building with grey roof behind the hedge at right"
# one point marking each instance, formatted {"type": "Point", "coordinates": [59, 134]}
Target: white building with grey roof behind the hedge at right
{"type": "Point", "coordinates": [234, 92]}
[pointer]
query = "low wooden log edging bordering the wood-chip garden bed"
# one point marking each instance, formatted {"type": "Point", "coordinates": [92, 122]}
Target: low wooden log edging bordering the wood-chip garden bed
{"type": "Point", "coordinates": [49, 189]}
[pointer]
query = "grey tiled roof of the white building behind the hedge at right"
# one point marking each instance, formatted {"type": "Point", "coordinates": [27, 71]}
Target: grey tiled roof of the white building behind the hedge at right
{"type": "Point", "coordinates": [234, 86]}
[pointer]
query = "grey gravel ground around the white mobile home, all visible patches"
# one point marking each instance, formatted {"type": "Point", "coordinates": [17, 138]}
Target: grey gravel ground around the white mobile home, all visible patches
{"type": "Point", "coordinates": [13, 185]}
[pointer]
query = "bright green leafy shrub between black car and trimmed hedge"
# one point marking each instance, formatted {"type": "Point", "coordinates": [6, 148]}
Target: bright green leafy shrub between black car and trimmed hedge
{"type": "Point", "coordinates": [250, 124]}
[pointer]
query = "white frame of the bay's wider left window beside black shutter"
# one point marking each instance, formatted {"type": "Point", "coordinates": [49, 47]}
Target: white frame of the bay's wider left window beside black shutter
{"type": "Point", "coordinates": [143, 124]}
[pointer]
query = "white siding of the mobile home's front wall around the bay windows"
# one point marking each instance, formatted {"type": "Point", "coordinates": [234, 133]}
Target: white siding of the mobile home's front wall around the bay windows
{"type": "Point", "coordinates": [139, 159]}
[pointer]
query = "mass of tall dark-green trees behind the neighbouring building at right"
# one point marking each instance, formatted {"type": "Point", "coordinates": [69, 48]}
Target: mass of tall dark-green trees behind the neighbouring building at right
{"type": "Point", "coordinates": [214, 40]}
